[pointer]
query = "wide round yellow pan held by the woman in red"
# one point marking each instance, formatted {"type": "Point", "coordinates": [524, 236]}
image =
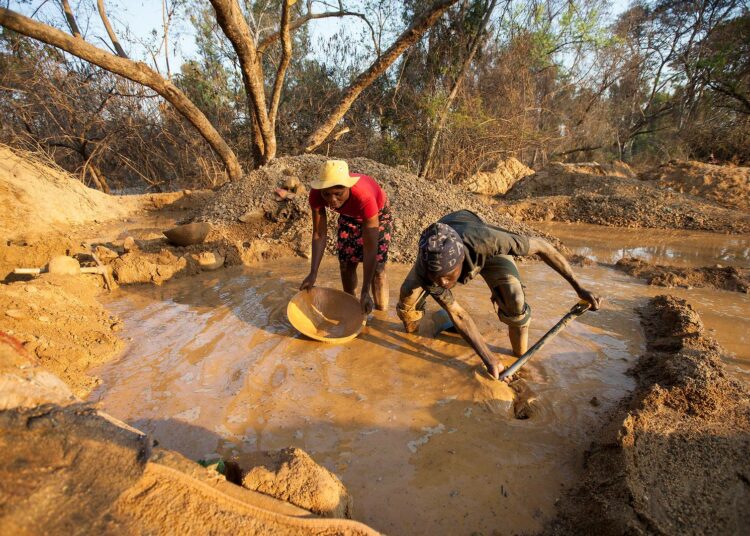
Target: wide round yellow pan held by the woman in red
{"type": "Point", "coordinates": [326, 315]}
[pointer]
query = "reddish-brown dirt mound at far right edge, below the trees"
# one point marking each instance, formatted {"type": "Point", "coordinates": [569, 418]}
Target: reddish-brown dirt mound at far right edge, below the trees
{"type": "Point", "coordinates": [728, 186]}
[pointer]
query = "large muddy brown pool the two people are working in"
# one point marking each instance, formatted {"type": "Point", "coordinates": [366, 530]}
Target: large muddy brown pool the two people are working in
{"type": "Point", "coordinates": [424, 443]}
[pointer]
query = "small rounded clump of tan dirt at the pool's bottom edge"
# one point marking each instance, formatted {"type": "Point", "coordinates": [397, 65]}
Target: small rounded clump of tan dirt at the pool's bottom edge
{"type": "Point", "coordinates": [291, 475]}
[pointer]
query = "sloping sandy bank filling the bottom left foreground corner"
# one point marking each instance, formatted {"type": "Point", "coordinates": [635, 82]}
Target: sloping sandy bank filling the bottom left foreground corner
{"type": "Point", "coordinates": [66, 468]}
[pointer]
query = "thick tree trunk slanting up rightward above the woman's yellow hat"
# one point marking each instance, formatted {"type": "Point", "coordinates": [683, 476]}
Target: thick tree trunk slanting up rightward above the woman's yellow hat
{"type": "Point", "coordinates": [410, 36]}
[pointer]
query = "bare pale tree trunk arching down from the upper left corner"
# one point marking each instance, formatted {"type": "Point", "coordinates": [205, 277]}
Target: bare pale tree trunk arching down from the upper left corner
{"type": "Point", "coordinates": [135, 71]}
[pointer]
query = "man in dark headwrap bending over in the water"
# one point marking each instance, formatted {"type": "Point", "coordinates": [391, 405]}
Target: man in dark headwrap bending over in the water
{"type": "Point", "coordinates": [457, 248]}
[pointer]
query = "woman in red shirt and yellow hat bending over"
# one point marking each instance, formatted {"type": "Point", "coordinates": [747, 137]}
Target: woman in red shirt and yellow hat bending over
{"type": "Point", "coordinates": [364, 230]}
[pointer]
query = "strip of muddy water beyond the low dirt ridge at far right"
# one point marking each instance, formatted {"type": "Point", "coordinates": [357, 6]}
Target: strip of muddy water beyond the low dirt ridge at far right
{"type": "Point", "coordinates": [660, 246]}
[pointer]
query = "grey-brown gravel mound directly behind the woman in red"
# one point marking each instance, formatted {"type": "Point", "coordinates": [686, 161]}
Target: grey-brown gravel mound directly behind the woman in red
{"type": "Point", "coordinates": [255, 207]}
